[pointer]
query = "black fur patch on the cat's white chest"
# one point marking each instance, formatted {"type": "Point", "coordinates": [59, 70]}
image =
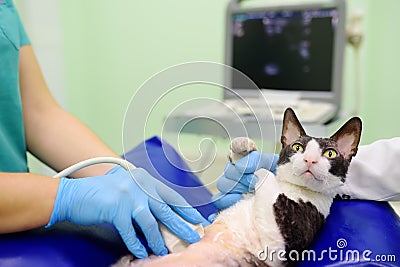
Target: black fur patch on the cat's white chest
{"type": "Point", "coordinates": [298, 222]}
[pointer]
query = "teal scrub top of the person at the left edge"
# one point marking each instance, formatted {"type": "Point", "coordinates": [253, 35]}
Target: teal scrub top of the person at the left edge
{"type": "Point", "coordinates": [12, 135]}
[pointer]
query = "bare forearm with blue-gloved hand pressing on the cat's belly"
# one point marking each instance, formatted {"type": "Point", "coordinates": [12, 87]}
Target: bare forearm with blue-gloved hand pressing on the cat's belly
{"type": "Point", "coordinates": [119, 197]}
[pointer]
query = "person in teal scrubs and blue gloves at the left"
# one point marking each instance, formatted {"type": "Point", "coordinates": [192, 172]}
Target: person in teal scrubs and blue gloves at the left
{"type": "Point", "coordinates": [31, 120]}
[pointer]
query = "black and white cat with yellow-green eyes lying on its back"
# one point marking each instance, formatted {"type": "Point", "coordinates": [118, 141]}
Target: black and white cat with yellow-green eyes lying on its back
{"type": "Point", "coordinates": [286, 211]}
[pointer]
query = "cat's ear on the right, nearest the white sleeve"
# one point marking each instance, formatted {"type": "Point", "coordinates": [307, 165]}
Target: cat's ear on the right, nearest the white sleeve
{"type": "Point", "coordinates": [348, 137]}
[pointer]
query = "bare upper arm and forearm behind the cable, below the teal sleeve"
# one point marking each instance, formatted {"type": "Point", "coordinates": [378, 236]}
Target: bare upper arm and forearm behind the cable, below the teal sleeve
{"type": "Point", "coordinates": [53, 135]}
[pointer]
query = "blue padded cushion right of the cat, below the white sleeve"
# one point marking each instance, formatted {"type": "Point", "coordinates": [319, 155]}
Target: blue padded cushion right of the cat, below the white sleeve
{"type": "Point", "coordinates": [357, 227]}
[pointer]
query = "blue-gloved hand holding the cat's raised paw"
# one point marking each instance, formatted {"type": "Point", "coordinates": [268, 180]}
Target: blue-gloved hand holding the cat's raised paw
{"type": "Point", "coordinates": [239, 178]}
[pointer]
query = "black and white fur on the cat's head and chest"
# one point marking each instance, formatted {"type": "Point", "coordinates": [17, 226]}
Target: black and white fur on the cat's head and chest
{"type": "Point", "coordinates": [288, 209]}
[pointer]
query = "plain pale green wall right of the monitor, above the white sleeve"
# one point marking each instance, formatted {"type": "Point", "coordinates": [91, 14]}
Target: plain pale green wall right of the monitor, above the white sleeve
{"type": "Point", "coordinates": [381, 79]}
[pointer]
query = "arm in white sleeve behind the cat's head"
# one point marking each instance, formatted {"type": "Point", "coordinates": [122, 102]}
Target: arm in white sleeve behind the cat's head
{"type": "Point", "coordinates": [374, 173]}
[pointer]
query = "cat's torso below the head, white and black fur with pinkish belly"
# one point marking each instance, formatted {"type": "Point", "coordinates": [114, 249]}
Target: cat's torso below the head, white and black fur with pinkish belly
{"type": "Point", "coordinates": [240, 232]}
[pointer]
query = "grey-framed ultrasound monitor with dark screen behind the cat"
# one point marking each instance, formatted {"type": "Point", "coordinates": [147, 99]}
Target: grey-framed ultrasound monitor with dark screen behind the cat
{"type": "Point", "coordinates": [288, 48]}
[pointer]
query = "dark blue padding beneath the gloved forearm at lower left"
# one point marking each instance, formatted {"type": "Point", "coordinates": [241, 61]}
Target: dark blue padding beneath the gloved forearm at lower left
{"type": "Point", "coordinates": [64, 245]}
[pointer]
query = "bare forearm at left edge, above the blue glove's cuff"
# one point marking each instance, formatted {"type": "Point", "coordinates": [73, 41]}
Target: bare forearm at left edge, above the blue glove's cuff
{"type": "Point", "coordinates": [26, 201]}
